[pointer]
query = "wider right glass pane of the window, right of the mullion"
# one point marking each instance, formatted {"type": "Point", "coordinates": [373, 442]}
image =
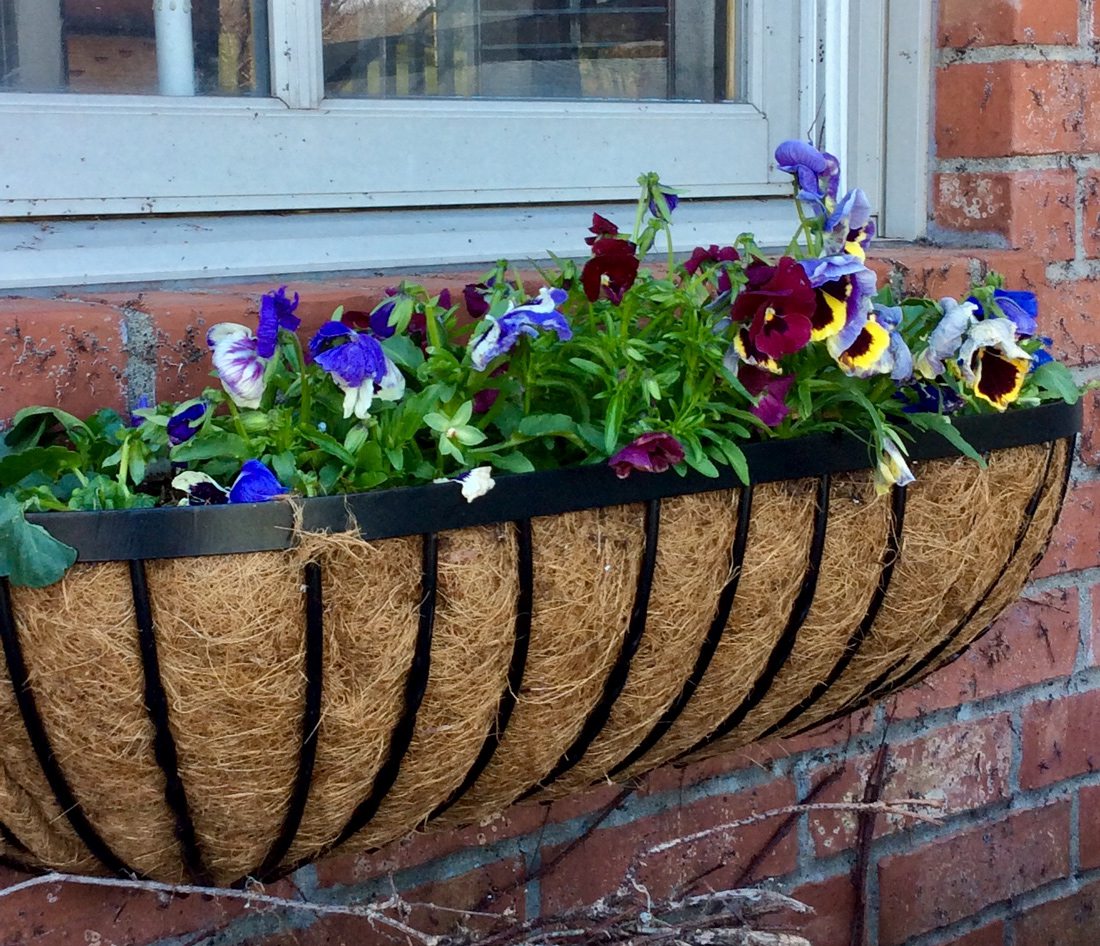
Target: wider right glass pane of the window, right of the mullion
{"type": "Point", "coordinates": [681, 50]}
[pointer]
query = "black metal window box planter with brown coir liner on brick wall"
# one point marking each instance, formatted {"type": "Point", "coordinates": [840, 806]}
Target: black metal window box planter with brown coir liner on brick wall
{"type": "Point", "coordinates": [221, 692]}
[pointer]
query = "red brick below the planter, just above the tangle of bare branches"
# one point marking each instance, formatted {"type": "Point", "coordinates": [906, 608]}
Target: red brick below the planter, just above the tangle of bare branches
{"type": "Point", "coordinates": [599, 866]}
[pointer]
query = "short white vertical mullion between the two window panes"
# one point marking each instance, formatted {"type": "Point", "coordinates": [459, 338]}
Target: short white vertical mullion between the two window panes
{"type": "Point", "coordinates": [298, 71]}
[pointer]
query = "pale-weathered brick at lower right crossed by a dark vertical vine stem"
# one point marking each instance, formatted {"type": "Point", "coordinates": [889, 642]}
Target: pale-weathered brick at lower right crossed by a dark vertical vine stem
{"type": "Point", "coordinates": [965, 767]}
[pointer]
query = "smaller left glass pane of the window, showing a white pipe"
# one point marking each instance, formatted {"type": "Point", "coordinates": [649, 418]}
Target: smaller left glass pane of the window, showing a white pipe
{"type": "Point", "coordinates": [179, 48]}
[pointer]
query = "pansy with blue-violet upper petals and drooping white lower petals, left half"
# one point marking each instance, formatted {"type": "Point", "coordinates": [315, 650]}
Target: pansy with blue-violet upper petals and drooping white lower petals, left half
{"type": "Point", "coordinates": [358, 365]}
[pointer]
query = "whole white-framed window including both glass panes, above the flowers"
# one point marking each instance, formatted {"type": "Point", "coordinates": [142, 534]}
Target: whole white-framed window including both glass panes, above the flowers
{"type": "Point", "coordinates": [458, 125]}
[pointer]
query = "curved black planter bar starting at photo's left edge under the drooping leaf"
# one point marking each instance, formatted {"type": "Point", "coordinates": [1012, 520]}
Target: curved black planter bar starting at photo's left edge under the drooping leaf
{"type": "Point", "coordinates": [40, 743]}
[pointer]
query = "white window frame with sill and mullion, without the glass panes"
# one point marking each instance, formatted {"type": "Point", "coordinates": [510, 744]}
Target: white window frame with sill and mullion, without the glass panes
{"type": "Point", "coordinates": [145, 160]}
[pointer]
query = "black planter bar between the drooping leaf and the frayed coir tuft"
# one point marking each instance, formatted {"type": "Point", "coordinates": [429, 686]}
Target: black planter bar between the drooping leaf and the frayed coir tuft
{"type": "Point", "coordinates": [164, 744]}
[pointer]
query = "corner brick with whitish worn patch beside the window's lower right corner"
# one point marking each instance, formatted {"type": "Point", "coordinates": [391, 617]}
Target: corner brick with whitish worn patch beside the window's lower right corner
{"type": "Point", "coordinates": [1032, 211]}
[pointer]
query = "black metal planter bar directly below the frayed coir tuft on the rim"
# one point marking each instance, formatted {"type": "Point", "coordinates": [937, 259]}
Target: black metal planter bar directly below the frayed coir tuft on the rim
{"type": "Point", "coordinates": [311, 722]}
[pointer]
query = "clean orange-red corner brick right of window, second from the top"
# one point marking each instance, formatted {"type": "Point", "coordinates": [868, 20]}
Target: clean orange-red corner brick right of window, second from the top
{"type": "Point", "coordinates": [1010, 108]}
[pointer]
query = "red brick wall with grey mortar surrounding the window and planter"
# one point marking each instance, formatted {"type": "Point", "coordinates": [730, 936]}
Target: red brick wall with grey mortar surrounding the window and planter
{"type": "Point", "coordinates": [1007, 738]}
